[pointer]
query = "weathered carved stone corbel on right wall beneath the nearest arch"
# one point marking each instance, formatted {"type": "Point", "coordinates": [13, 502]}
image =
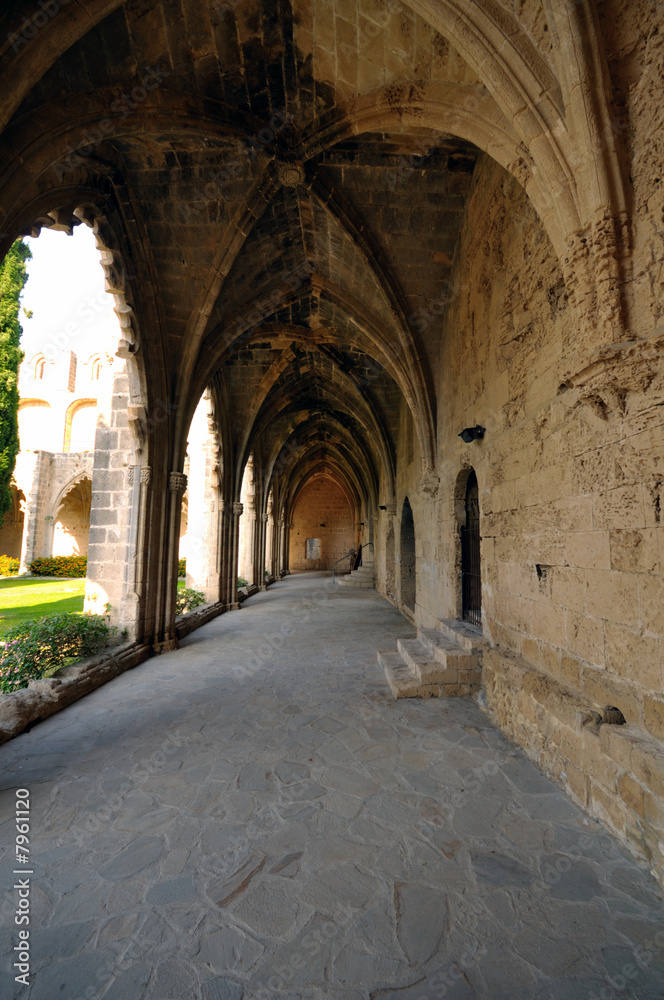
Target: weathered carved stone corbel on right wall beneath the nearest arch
{"type": "Point", "coordinates": [615, 371]}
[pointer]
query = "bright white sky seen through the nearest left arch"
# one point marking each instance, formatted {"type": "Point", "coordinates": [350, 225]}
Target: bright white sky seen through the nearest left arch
{"type": "Point", "coordinates": [65, 290]}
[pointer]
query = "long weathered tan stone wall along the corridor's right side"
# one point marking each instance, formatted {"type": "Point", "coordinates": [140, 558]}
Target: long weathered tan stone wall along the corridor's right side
{"type": "Point", "coordinates": [570, 483]}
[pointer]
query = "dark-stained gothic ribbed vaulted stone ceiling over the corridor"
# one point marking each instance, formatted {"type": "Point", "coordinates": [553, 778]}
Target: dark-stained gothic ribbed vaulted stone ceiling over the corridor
{"type": "Point", "coordinates": [285, 181]}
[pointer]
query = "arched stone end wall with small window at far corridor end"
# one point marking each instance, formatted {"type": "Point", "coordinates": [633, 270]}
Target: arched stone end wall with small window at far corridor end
{"type": "Point", "coordinates": [322, 511]}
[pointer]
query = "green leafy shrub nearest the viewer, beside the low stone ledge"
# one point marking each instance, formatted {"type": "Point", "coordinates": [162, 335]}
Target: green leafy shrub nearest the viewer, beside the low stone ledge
{"type": "Point", "coordinates": [37, 648]}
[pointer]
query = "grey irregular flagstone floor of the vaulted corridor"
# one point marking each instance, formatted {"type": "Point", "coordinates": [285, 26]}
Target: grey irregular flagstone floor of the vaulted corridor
{"type": "Point", "coordinates": [254, 816]}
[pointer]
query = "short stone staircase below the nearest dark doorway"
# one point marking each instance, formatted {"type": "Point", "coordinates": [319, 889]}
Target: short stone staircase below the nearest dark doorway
{"type": "Point", "coordinates": [444, 662]}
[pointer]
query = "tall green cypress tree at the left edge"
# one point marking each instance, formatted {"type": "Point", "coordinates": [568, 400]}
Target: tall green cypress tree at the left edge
{"type": "Point", "coordinates": [13, 275]}
